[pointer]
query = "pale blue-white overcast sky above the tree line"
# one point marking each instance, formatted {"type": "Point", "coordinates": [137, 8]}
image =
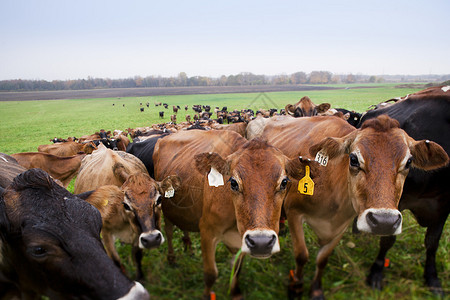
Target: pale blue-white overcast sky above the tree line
{"type": "Point", "coordinates": [63, 40]}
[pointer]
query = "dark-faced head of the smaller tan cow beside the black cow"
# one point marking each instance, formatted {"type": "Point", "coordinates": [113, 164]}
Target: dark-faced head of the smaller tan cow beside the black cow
{"type": "Point", "coordinates": [142, 202]}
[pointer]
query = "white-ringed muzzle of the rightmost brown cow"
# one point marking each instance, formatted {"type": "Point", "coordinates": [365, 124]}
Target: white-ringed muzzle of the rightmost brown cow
{"type": "Point", "coordinates": [380, 221]}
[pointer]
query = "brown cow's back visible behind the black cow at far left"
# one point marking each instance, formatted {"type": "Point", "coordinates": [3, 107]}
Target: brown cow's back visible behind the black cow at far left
{"type": "Point", "coordinates": [63, 168]}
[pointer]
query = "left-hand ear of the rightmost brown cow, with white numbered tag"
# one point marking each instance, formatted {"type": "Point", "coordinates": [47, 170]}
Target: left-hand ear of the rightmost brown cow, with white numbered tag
{"type": "Point", "coordinates": [333, 147]}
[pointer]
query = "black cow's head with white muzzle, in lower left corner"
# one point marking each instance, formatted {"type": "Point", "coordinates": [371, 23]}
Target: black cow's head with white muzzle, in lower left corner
{"type": "Point", "coordinates": [50, 245]}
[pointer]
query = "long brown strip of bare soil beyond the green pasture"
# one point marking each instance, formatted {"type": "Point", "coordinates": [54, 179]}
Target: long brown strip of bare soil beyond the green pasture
{"type": "Point", "coordinates": [142, 92]}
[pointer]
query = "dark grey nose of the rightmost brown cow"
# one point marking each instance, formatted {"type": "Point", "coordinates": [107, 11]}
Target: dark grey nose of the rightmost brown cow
{"type": "Point", "coordinates": [383, 223]}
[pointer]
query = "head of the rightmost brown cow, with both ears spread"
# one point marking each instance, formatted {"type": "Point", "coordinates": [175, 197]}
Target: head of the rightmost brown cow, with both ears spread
{"type": "Point", "coordinates": [379, 156]}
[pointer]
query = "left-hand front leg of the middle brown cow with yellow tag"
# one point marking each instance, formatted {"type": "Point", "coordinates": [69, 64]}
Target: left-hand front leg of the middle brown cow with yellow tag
{"type": "Point", "coordinates": [210, 272]}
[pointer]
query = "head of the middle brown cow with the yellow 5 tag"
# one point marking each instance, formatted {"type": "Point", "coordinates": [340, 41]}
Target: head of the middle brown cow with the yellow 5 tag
{"type": "Point", "coordinates": [256, 180]}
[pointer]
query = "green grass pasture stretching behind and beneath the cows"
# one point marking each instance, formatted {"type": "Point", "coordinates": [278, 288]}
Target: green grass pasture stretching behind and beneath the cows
{"type": "Point", "coordinates": [27, 124]}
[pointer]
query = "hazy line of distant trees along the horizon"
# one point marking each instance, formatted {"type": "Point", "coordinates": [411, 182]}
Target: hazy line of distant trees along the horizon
{"type": "Point", "coordinates": [182, 80]}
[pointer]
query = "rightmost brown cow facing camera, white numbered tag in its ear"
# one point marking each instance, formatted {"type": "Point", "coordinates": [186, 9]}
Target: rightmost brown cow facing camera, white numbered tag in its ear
{"type": "Point", "coordinates": [363, 178]}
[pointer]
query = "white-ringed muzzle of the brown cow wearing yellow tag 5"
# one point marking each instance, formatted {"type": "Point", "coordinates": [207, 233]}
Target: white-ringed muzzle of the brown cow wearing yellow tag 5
{"type": "Point", "coordinates": [260, 243]}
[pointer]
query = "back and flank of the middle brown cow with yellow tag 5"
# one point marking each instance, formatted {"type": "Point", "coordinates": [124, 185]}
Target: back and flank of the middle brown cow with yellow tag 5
{"type": "Point", "coordinates": [174, 155]}
